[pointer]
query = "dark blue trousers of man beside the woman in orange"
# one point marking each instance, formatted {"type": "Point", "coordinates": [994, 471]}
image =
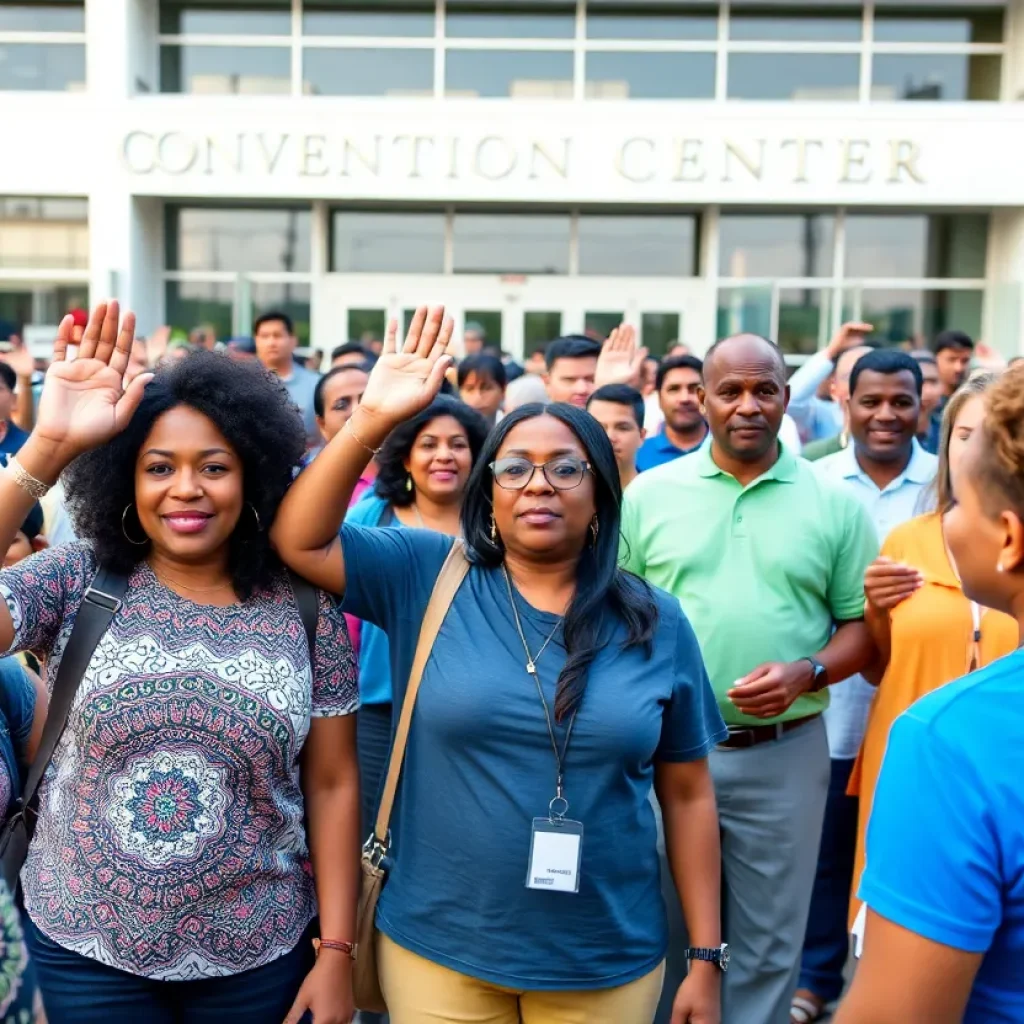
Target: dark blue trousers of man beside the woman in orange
{"type": "Point", "coordinates": [827, 945]}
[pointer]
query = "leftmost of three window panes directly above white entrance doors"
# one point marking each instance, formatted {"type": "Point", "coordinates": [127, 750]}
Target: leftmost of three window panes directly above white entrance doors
{"type": "Point", "coordinates": [388, 242]}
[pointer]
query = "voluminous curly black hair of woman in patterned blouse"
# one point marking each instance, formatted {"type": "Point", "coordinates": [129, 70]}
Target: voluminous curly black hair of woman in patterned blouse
{"type": "Point", "coordinates": [255, 415]}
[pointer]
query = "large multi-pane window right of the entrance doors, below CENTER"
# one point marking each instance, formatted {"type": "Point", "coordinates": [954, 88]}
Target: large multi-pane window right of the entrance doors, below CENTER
{"type": "Point", "coordinates": [796, 277]}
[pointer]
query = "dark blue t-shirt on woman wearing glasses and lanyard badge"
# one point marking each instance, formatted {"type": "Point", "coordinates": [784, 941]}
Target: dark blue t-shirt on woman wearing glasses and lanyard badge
{"type": "Point", "coordinates": [480, 769]}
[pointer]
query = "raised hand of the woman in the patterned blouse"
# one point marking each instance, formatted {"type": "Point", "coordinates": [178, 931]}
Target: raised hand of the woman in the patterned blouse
{"type": "Point", "coordinates": [84, 402]}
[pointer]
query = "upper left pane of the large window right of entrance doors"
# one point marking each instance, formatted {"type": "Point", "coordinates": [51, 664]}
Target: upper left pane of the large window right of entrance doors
{"type": "Point", "coordinates": [771, 246]}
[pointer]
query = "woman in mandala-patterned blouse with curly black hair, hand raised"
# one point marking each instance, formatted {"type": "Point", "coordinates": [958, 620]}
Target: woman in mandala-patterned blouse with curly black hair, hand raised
{"type": "Point", "coordinates": [168, 879]}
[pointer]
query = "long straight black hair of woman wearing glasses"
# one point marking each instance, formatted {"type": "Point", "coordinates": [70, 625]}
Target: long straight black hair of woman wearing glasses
{"type": "Point", "coordinates": [604, 591]}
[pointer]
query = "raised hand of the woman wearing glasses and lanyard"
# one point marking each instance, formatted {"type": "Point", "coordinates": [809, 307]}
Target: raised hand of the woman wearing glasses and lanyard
{"type": "Point", "coordinates": [405, 382]}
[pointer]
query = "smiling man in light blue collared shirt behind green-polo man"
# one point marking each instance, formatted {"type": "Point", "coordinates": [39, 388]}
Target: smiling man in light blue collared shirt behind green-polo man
{"type": "Point", "coordinates": [888, 472]}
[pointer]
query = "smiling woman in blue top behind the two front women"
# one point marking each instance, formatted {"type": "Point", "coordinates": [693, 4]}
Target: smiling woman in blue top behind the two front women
{"type": "Point", "coordinates": [421, 479]}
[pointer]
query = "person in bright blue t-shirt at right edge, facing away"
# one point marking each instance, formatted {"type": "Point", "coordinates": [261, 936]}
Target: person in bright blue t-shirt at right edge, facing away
{"type": "Point", "coordinates": [945, 879]}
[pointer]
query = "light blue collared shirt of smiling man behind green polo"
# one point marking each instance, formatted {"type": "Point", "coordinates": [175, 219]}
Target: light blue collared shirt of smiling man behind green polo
{"type": "Point", "coordinates": [901, 501]}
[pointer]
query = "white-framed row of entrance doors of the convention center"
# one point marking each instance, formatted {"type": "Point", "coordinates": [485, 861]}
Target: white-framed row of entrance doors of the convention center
{"type": "Point", "coordinates": [519, 315]}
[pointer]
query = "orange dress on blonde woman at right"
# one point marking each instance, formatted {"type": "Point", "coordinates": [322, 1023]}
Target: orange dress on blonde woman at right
{"type": "Point", "coordinates": [932, 644]}
